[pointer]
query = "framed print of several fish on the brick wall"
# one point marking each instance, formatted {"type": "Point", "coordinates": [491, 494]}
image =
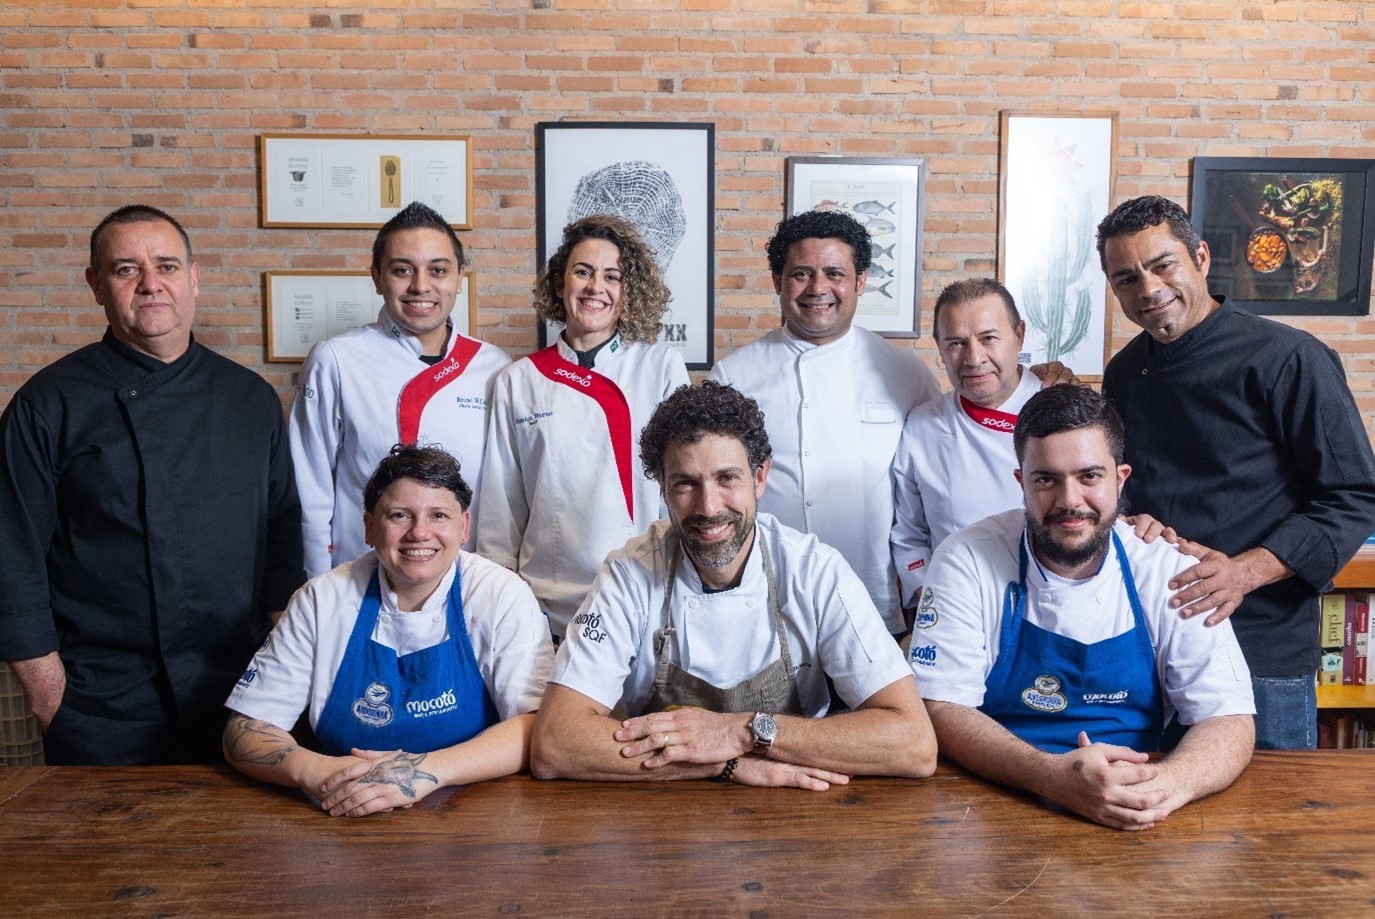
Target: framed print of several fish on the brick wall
{"type": "Point", "coordinates": [888, 197]}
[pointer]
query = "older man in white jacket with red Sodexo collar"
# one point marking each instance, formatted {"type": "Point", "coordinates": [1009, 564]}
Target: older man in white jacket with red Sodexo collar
{"type": "Point", "coordinates": [955, 459]}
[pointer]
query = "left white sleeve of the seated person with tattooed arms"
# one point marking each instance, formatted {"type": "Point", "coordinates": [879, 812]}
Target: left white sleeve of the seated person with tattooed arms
{"type": "Point", "coordinates": [277, 684]}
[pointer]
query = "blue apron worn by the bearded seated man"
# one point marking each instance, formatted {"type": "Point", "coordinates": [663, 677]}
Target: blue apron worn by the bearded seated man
{"type": "Point", "coordinates": [1047, 689]}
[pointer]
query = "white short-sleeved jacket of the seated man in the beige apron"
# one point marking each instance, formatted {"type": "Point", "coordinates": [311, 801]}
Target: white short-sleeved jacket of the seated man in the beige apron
{"type": "Point", "coordinates": [729, 636]}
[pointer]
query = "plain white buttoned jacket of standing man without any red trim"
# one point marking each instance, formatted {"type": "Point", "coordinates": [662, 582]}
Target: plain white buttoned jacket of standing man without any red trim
{"type": "Point", "coordinates": [834, 415]}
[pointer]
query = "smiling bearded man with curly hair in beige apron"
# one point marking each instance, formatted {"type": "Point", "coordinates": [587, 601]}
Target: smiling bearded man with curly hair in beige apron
{"type": "Point", "coordinates": [714, 634]}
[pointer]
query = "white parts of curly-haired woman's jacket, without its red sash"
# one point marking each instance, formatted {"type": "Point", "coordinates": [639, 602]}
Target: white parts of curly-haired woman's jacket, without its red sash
{"type": "Point", "coordinates": [553, 506]}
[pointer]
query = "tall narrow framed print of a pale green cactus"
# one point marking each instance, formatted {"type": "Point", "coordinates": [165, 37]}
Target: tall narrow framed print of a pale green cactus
{"type": "Point", "coordinates": [1057, 174]}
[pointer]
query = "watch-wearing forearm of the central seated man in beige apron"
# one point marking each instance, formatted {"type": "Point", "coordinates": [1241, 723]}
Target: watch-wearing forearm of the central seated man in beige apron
{"type": "Point", "coordinates": [889, 735]}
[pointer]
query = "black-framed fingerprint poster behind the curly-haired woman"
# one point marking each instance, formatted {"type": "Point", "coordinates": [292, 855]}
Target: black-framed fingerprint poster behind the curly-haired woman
{"type": "Point", "coordinates": [658, 177]}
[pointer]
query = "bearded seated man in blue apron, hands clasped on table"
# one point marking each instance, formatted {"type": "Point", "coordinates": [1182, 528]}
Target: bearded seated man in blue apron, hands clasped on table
{"type": "Point", "coordinates": [1047, 649]}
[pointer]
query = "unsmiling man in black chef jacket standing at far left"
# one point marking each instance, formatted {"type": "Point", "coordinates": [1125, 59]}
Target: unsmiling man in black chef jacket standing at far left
{"type": "Point", "coordinates": [149, 525]}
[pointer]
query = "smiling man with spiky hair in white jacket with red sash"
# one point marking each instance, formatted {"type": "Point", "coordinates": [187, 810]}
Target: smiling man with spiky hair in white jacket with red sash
{"type": "Point", "coordinates": [409, 376]}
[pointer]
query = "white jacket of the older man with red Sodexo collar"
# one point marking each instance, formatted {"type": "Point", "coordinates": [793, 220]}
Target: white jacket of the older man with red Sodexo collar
{"type": "Point", "coordinates": [949, 473]}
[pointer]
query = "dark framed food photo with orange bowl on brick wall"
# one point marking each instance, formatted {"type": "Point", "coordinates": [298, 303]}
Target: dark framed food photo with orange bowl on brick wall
{"type": "Point", "coordinates": [1288, 236]}
